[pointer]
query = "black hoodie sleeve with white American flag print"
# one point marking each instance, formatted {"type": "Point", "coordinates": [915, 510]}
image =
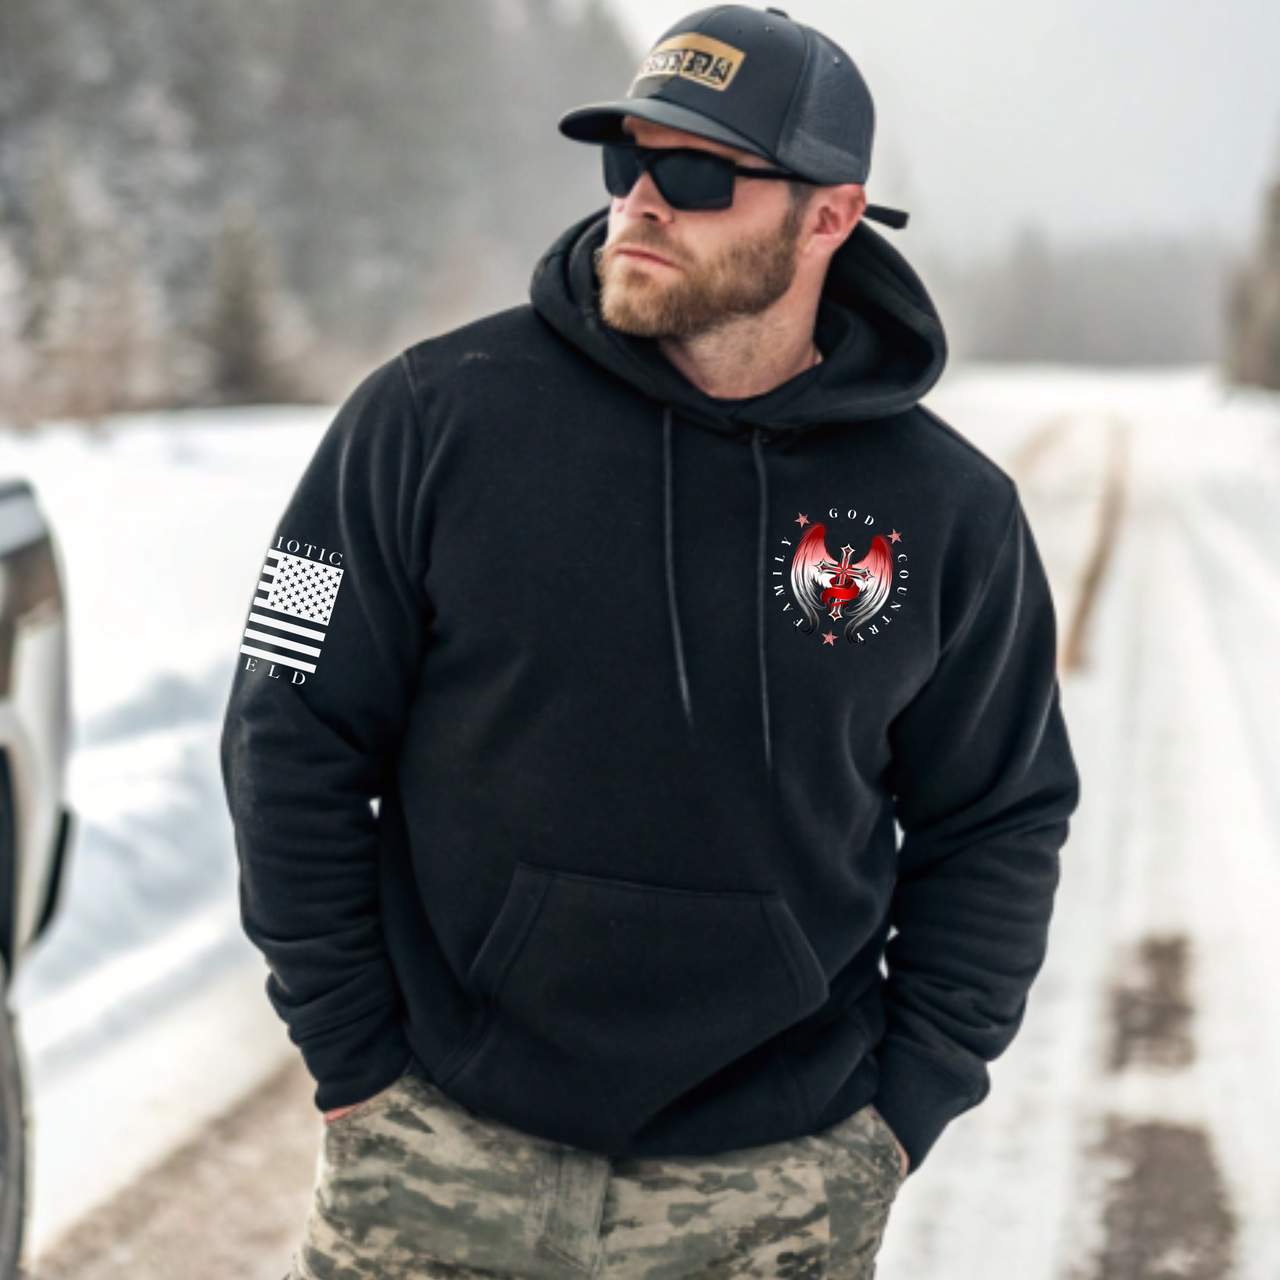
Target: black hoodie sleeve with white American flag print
{"type": "Point", "coordinates": [317, 712]}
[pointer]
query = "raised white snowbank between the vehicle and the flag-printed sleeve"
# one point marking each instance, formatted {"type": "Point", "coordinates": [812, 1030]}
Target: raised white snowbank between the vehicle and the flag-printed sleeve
{"type": "Point", "coordinates": [161, 522]}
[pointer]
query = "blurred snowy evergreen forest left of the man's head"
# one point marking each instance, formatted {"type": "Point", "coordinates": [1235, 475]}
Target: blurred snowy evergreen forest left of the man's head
{"type": "Point", "coordinates": [400, 158]}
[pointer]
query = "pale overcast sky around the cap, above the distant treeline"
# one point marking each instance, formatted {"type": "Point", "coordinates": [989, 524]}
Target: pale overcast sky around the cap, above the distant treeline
{"type": "Point", "coordinates": [1089, 118]}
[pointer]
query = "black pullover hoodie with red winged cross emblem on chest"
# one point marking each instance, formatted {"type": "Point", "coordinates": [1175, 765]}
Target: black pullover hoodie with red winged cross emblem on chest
{"type": "Point", "coordinates": [578, 712]}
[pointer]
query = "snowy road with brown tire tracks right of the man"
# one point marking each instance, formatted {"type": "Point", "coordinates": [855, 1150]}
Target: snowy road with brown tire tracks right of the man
{"type": "Point", "coordinates": [1131, 1130]}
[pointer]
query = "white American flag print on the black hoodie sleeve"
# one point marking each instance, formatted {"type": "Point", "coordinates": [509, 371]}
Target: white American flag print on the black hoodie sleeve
{"type": "Point", "coordinates": [294, 605]}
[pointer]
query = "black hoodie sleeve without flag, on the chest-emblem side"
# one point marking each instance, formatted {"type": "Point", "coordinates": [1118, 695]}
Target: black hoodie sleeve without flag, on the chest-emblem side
{"type": "Point", "coordinates": [985, 783]}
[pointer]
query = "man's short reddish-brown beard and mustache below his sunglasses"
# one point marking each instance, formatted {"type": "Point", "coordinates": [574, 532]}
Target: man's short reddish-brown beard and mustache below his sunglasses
{"type": "Point", "coordinates": [746, 277]}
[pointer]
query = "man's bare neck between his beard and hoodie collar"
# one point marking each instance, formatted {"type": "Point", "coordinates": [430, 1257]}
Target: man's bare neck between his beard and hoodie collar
{"type": "Point", "coordinates": [746, 356]}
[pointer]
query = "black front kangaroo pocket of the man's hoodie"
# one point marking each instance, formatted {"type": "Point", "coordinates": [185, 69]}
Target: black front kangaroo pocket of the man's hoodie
{"type": "Point", "coordinates": [605, 1000]}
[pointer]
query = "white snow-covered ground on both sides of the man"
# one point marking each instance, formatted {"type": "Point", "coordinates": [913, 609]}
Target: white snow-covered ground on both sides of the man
{"type": "Point", "coordinates": [1154, 1028]}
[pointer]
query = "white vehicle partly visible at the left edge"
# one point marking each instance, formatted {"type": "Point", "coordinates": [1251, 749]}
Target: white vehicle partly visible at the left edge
{"type": "Point", "coordinates": [35, 824]}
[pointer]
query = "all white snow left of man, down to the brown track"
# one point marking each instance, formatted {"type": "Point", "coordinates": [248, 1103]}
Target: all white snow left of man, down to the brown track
{"type": "Point", "coordinates": [143, 1012]}
